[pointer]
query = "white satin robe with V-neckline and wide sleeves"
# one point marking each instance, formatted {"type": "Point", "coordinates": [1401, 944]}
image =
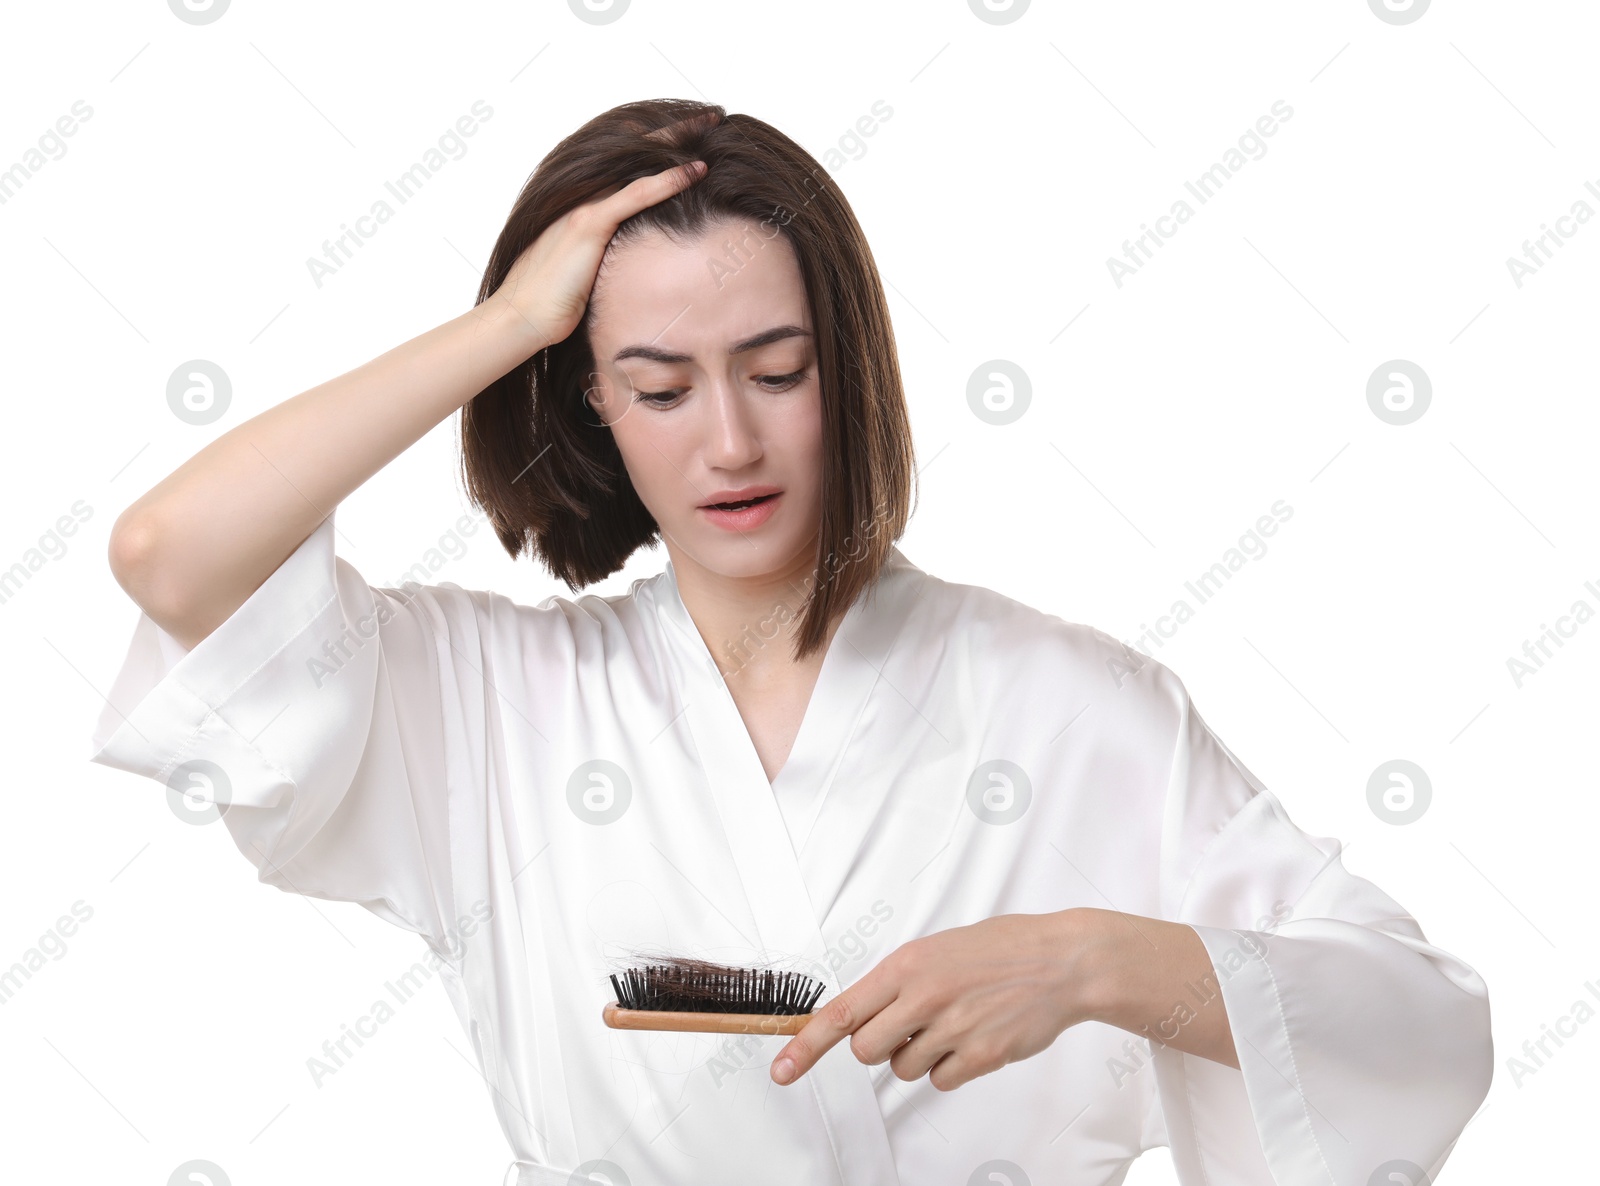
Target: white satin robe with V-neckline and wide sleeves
{"type": "Point", "coordinates": [537, 791]}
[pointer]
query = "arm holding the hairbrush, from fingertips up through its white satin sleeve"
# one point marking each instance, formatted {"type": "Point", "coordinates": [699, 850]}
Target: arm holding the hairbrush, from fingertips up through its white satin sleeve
{"type": "Point", "coordinates": [1314, 1035]}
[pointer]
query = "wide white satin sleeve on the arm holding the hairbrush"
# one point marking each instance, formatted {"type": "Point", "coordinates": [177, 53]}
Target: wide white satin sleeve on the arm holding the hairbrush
{"type": "Point", "coordinates": [1362, 1046]}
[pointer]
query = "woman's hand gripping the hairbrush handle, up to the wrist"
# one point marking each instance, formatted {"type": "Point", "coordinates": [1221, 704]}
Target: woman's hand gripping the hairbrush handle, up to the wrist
{"type": "Point", "coordinates": [969, 1000]}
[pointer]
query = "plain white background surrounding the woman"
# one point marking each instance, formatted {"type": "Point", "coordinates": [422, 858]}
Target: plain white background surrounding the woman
{"type": "Point", "coordinates": [1167, 415]}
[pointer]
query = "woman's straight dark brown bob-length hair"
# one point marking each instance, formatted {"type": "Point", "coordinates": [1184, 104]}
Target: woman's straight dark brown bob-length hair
{"type": "Point", "coordinates": [551, 478]}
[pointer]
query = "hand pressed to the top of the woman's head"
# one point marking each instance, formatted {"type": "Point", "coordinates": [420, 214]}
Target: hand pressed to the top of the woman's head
{"type": "Point", "coordinates": [551, 281]}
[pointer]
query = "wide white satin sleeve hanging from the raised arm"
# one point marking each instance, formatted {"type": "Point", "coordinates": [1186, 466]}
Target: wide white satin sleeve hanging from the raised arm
{"type": "Point", "coordinates": [326, 719]}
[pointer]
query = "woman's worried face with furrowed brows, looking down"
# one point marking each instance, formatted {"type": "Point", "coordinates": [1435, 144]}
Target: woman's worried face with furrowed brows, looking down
{"type": "Point", "coordinates": [706, 372]}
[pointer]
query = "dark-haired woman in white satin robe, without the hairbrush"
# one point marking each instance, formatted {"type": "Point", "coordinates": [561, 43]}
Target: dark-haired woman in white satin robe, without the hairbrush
{"type": "Point", "coordinates": [1058, 921]}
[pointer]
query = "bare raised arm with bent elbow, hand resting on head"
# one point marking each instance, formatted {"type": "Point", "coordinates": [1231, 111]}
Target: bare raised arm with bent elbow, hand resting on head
{"type": "Point", "coordinates": [199, 543]}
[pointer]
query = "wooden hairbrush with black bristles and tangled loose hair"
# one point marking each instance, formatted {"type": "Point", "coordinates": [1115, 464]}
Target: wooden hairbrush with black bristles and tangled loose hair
{"type": "Point", "coordinates": [694, 995]}
